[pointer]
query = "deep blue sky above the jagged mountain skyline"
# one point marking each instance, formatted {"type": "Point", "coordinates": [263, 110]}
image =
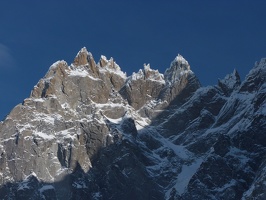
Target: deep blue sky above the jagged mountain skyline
{"type": "Point", "coordinates": [214, 36]}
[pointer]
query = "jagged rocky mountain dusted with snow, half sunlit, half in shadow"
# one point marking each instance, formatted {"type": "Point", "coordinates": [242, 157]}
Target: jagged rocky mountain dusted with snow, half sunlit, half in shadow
{"type": "Point", "coordinates": [89, 131]}
